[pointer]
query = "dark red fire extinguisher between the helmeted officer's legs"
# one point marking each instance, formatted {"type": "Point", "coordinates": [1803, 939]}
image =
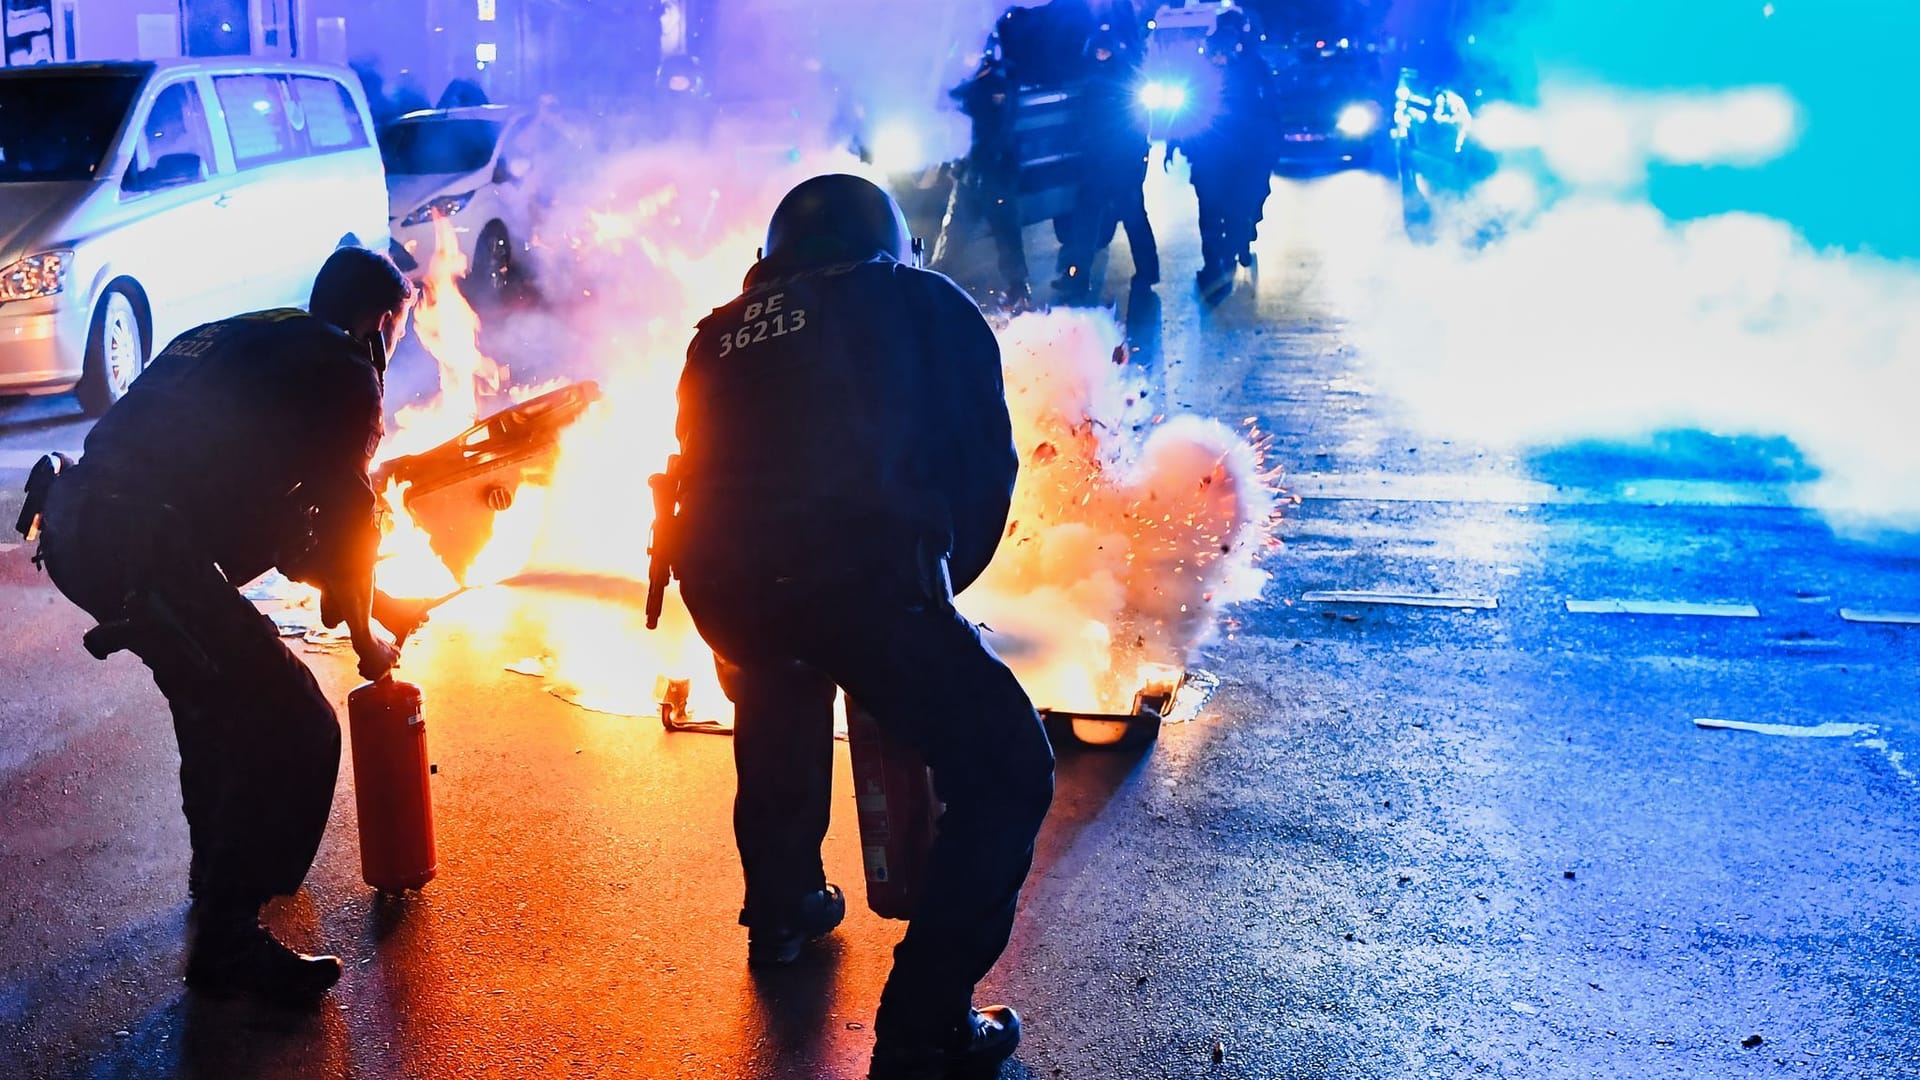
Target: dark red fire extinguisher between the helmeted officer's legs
{"type": "Point", "coordinates": [894, 795]}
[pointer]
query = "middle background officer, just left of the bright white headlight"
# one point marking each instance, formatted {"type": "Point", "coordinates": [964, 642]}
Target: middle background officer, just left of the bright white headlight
{"type": "Point", "coordinates": [1113, 172]}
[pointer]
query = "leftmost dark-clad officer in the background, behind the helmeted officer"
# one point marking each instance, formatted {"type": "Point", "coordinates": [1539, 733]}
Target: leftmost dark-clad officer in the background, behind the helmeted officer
{"type": "Point", "coordinates": [988, 189]}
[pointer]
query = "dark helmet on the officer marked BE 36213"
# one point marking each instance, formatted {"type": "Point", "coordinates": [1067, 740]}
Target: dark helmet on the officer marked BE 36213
{"type": "Point", "coordinates": [836, 220]}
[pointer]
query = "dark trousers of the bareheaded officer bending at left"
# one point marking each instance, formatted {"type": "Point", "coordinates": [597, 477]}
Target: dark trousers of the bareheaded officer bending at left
{"type": "Point", "coordinates": [260, 743]}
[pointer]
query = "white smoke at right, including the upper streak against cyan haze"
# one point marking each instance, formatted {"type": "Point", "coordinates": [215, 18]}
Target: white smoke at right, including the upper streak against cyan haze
{"type": "Point", "coordinates": [1596, 316]}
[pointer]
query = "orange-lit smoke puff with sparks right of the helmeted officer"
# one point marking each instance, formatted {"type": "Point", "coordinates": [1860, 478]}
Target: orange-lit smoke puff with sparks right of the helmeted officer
{"type": "Point", "coordinates": [1130, 533]}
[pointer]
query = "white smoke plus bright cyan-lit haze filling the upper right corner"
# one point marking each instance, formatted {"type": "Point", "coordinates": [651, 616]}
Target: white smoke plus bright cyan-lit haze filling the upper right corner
{"type": "Point", "coordinates": [1668, 255]}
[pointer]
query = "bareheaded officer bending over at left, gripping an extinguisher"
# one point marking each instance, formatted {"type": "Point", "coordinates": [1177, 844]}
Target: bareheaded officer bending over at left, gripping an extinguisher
{"type": "Point", "coordinates": [243, 447]}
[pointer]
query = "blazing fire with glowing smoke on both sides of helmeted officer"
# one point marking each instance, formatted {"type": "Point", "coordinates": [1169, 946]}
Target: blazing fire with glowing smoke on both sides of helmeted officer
{"type": "Point", "coordinates": [1122, 547]}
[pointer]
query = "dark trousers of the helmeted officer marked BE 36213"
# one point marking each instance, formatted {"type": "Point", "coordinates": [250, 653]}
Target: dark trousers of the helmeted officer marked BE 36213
{"type": "Point", "coordinates": [928, 679]}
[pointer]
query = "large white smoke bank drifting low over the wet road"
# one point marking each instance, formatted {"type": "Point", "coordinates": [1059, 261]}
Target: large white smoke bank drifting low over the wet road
{"type": "Point", "coordinates": [1604, 320]}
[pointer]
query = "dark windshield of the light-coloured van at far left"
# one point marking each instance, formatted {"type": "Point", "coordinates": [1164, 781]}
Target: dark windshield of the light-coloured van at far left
{"type": "Point", "coordinates": [59, 128]}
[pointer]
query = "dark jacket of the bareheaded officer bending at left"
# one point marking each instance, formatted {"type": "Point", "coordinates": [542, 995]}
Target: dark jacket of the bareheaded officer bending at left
{"type": "Point", "coordinates": [254, 430]}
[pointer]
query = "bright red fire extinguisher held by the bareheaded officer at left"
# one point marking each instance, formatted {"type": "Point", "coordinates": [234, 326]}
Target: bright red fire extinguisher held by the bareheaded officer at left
{"type": "Point", "coordinates": [391, 785]}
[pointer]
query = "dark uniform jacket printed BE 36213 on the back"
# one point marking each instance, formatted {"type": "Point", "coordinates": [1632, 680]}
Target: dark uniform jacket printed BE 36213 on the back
{"type": "Point", "coordinates": [834, 420]}
